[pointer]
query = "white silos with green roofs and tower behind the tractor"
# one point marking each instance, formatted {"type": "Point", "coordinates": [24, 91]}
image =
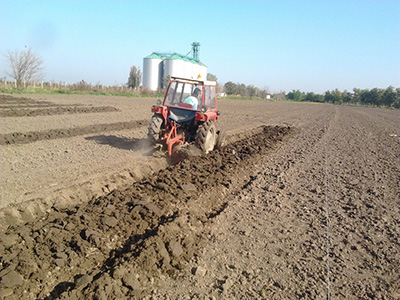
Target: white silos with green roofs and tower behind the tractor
{"type": "Point", "coordinates": [158, 66]}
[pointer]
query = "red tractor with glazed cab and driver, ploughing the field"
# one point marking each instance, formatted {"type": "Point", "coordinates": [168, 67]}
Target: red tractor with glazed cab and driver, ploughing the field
{"type": "Point", "coordinates": [188, 114]}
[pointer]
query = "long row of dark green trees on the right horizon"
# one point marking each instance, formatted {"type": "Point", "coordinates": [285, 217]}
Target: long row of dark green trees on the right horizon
{"type": "Point", "coordinates": [389, 97]}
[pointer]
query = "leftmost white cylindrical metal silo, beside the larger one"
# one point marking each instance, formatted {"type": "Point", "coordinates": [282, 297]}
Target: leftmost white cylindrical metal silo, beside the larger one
{"type": "Point", "coordinates": [152, 71]}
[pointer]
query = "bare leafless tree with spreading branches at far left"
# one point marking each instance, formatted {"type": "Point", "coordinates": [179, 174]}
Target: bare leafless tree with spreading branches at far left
{"type": "Point", "coordinates": [26, 66]}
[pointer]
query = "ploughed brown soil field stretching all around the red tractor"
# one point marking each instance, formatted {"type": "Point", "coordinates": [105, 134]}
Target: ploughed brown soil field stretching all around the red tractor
{"type": "Point", "coordinates": [303, 202]}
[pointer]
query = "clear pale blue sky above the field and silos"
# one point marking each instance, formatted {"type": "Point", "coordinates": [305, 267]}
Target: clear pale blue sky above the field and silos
{"type": "Point", "coordinates": [283, 45]}
